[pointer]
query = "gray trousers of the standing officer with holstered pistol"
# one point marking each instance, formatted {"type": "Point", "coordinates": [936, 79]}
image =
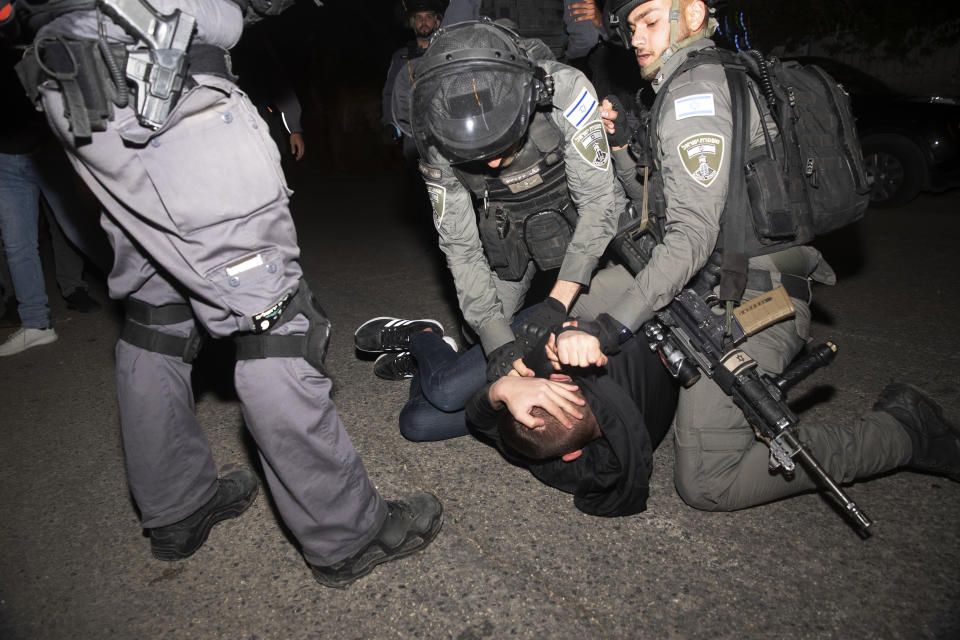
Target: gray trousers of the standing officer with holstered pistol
{"type": "Point", "coordinates": [198, 213]}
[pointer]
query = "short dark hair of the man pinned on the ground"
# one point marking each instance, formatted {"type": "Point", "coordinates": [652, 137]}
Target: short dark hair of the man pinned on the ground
{"type": "Point", "coordinates": [550, 440]}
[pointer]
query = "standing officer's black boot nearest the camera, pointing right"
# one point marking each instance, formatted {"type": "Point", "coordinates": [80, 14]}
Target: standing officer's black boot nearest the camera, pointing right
{"type": "Point", "coordinates": [409, 527]}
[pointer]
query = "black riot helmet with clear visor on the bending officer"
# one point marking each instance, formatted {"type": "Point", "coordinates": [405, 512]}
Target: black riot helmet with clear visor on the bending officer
{"type": "Point", "coordinates": [474, 91]}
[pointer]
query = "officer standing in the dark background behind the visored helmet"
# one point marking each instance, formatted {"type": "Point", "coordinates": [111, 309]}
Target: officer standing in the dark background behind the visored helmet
{"type": "Point", "coordinates": [423, 17]}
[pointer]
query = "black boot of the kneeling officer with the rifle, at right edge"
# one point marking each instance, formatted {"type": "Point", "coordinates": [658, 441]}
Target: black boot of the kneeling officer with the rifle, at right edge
{"type": "Point", "coordinates": [936, 442]}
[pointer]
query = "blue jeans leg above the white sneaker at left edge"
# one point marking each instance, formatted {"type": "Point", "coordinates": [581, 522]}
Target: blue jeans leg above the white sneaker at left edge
{"type": "Point", "coordinates": [19, 219]}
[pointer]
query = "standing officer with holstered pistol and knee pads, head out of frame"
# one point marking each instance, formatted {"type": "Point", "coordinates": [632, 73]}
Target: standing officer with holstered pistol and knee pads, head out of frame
{"type": "Point", "coordinates": [196, 208]}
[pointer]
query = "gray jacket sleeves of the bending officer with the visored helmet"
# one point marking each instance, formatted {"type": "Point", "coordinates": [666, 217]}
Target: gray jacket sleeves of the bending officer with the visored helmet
{"type": "Point", "coordinates": [593, 188]}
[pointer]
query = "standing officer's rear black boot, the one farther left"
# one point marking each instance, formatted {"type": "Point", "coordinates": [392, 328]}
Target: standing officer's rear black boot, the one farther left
{"type": "Point", "coordinates": [235, 492]}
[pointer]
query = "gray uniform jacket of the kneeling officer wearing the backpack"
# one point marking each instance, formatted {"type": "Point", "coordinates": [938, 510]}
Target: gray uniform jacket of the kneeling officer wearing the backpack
{"type": "Point", "coordinates": [694, 129]}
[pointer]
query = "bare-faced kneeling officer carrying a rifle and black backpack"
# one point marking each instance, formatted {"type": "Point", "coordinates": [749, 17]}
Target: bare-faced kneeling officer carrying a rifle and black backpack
{"type": "Point", "coordinates": [720, 465]}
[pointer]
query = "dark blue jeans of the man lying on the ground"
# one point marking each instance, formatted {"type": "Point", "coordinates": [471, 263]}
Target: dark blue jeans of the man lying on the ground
{"type": "Point", "coordinates": [441, 387]}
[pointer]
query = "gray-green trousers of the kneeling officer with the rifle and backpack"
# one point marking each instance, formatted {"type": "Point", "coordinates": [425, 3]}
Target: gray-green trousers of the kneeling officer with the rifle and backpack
{"type": "Point", "coordinates": [720, 465]}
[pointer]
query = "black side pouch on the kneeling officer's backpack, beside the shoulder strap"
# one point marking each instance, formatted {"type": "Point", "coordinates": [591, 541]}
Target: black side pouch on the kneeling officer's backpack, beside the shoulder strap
{"type": "Point", "coordinates": [773, 219]}
